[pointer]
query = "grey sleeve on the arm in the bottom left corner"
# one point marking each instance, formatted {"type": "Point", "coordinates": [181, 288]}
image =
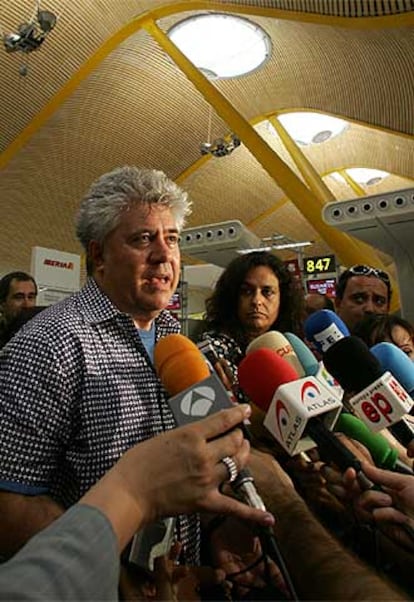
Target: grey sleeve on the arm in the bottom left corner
{"type": "Point", "coordinates": [74, 558]}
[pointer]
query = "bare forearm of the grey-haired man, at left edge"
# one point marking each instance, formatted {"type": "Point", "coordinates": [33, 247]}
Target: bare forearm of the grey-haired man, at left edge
{"type": "Point", "coordinates": [22, 517]}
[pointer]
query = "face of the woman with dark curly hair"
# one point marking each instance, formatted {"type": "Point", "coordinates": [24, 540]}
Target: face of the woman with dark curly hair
{"type": "Point", "coordinates": [259, 301]}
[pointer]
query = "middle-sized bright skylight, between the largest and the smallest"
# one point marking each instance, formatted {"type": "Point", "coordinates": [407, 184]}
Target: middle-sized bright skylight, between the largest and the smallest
{"type": "Point", "coordinates": [311, 128]}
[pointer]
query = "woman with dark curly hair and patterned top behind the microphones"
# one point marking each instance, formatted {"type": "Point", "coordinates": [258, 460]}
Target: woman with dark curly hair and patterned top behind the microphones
{"type": "Point", "coordinates": [254, 294]}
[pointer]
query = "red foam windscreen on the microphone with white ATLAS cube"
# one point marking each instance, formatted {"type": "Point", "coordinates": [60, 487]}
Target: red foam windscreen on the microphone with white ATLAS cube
{"type": "Point", "coordinates": [261, 372]}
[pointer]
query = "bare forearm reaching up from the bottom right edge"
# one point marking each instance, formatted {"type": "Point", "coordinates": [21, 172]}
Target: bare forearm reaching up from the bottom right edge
{"type": "Point", "coordinates": [320, 568]}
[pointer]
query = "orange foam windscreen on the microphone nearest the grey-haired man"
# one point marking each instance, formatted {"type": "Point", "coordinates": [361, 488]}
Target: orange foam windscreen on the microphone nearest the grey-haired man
{"type": "Point", "coordinates": [179, 363]}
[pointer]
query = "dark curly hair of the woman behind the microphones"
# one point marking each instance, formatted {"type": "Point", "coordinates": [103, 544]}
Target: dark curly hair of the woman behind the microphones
{"type": "Point", "coordinates": [222, 306]}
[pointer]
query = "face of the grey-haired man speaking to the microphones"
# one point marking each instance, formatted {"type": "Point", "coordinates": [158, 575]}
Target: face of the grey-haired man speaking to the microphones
{"type": "Point", "coordinates": [138, 265]}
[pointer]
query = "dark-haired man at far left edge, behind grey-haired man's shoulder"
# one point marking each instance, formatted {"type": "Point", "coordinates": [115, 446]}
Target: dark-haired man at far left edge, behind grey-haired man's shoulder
{"type": "Point", "coordinates": [18, 290]}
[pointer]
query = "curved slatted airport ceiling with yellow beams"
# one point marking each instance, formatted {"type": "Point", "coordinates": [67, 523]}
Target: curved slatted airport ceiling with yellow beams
{"type": "Point", "coordinates": [107, 87]}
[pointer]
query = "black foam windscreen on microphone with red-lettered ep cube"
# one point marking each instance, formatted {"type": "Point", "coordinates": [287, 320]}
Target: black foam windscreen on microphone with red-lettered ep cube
{"type": "Point", "coordinates": [352, 364]}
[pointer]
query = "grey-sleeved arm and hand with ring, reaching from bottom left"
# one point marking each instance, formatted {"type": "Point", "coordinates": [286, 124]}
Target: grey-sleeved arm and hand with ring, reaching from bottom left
{"type": "Point", "coordinates": [77, 556]}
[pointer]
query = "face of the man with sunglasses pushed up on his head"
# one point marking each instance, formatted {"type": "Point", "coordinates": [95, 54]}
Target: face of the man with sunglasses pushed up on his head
{"type": "Point", "coordinates": [363, 295]}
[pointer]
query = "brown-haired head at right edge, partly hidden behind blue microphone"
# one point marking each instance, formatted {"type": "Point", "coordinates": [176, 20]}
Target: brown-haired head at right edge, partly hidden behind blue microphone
{"type": "Point", "coordinates": [375, 329]}
